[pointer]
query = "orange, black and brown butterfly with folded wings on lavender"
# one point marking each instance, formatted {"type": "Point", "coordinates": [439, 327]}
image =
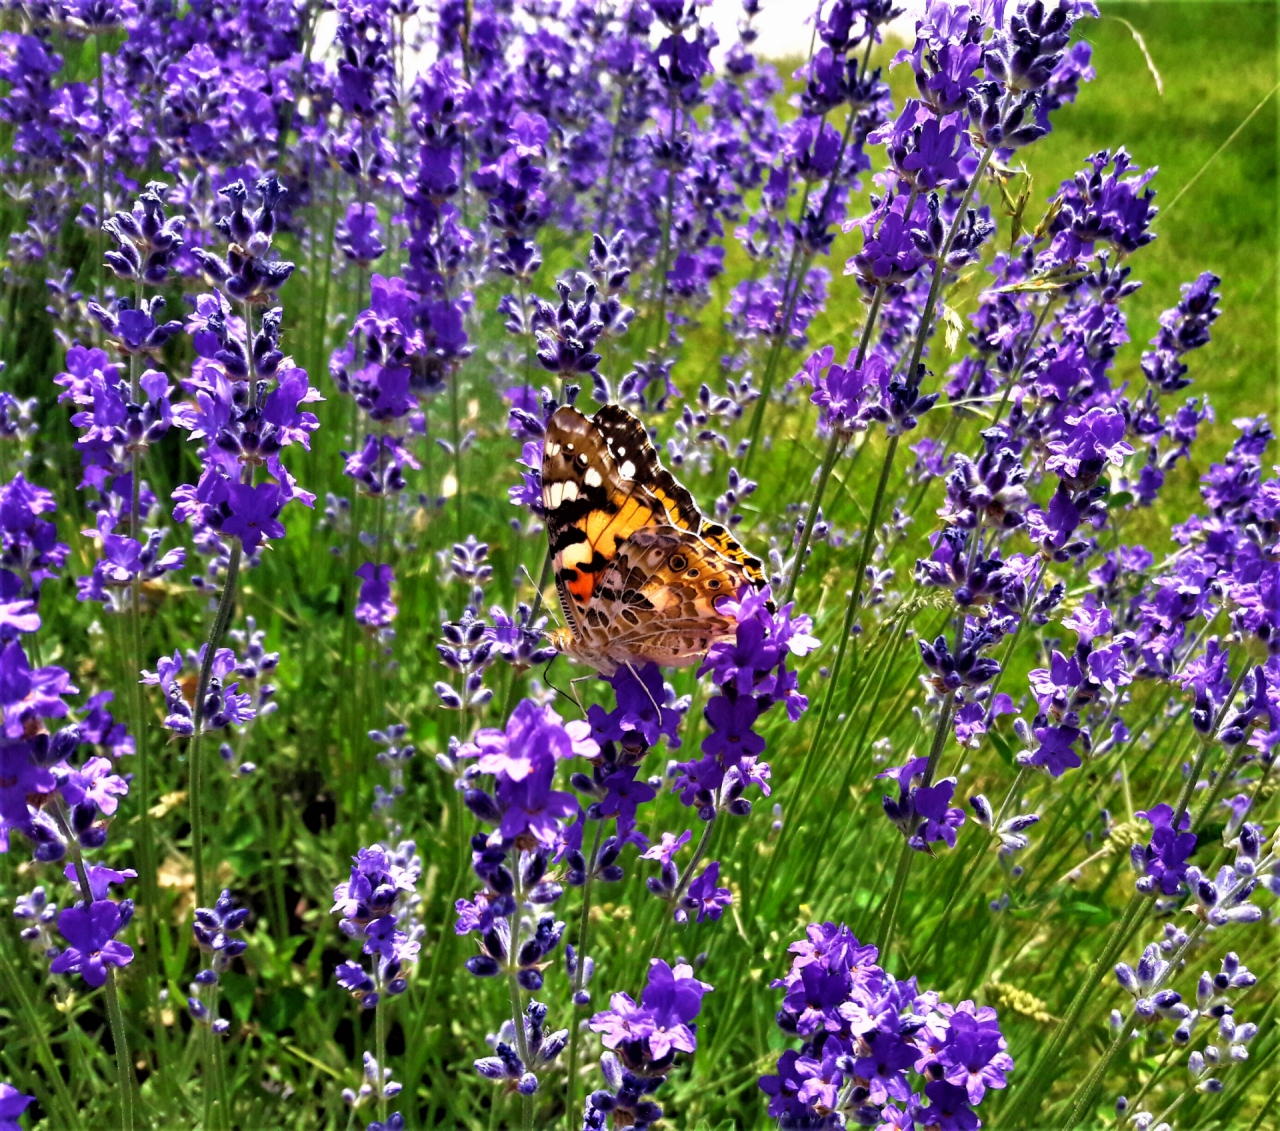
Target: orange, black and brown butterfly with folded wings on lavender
{"type": "Point", "coordinates": [638, 570]}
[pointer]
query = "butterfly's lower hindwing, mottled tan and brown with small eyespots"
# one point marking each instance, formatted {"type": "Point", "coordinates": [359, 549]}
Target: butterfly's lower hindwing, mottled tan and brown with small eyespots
{"type": "Point", "coordinates": [657, 602]}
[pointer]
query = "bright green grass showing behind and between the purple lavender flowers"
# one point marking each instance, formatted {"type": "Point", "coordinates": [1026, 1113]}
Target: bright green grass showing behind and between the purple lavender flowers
{"type": "Point", "coordinates": [284, 835]}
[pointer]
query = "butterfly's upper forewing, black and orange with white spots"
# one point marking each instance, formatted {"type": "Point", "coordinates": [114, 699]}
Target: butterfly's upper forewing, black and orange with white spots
{"type": "Point", "coordinates": [602, 482]}
